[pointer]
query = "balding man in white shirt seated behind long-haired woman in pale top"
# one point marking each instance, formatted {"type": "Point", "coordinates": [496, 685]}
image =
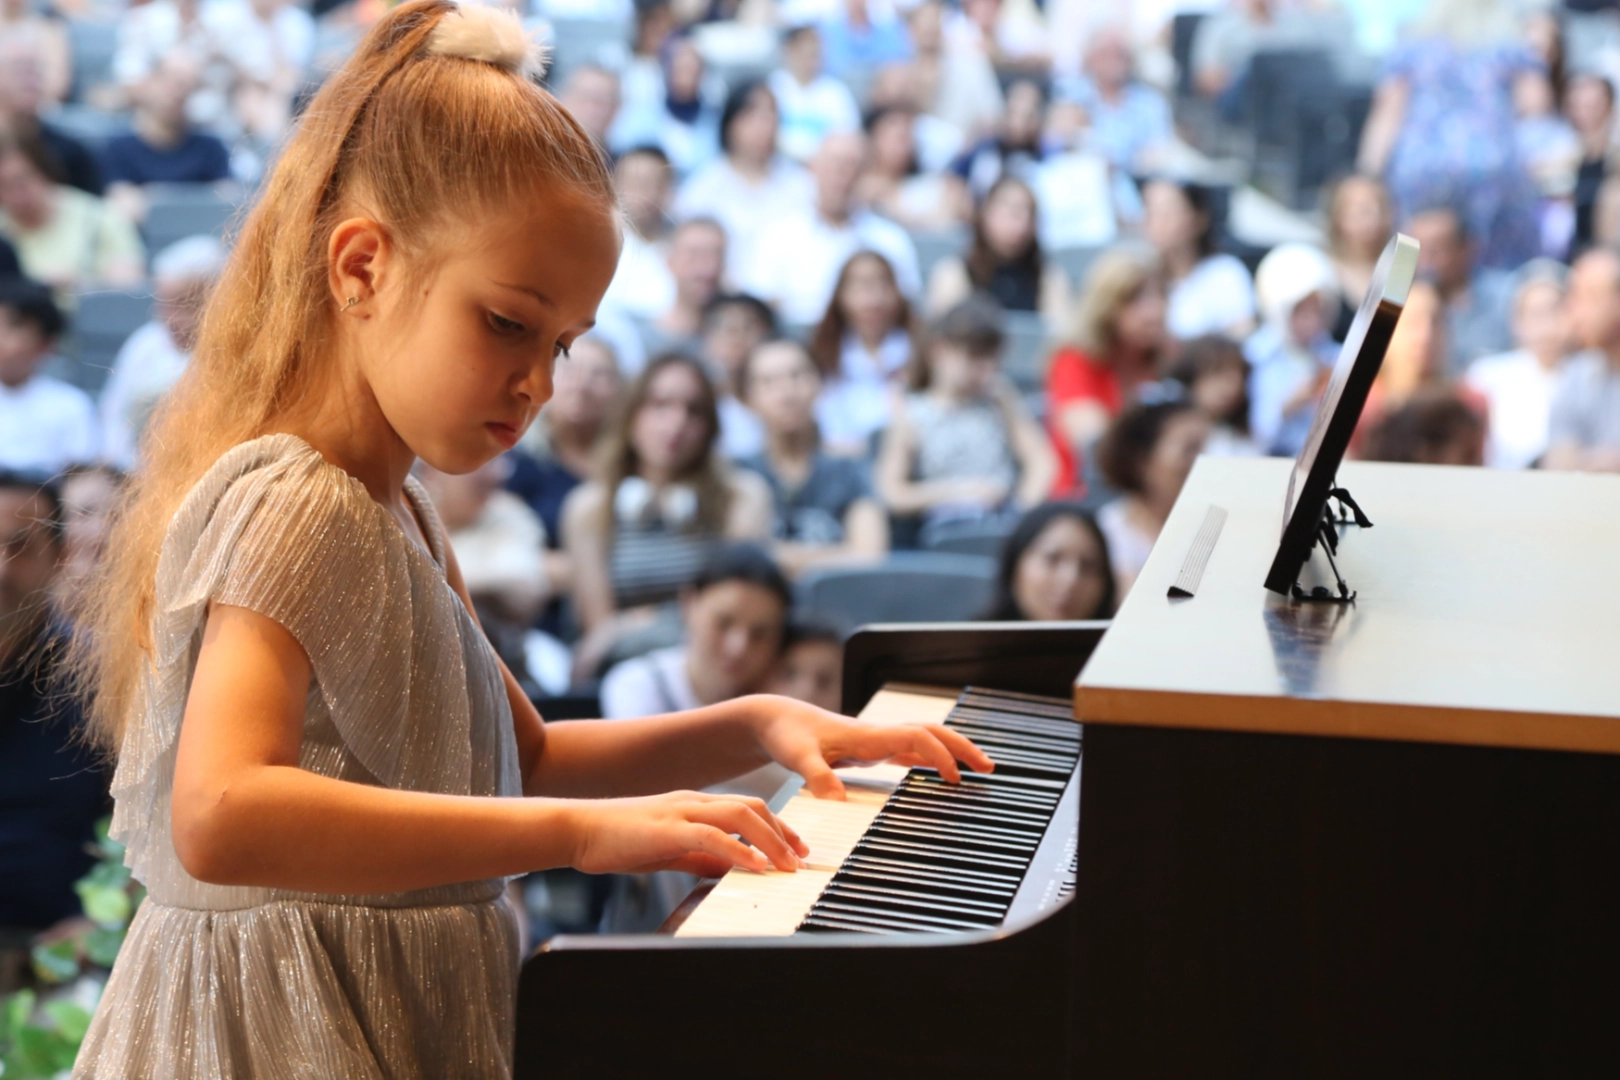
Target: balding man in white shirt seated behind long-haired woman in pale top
{"type": "Point", "coordinates": [798, 258]}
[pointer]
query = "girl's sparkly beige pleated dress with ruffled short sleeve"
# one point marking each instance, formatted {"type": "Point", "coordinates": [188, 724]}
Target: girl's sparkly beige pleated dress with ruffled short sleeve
{"type": "Point", "coordinates": [245, 984]}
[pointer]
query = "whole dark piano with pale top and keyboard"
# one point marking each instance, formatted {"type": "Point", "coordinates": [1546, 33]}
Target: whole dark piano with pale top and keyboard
{"type": "Point", "coordinates": [1311, 841]}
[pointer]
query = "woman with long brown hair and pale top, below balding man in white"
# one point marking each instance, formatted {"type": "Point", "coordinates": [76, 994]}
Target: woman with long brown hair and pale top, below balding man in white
{"type": "Point", "coordinates": [863, 349]}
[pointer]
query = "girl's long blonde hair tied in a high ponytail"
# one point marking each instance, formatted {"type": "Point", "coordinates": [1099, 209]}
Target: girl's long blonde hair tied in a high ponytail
{"type": "Point", "coordinates": [419, 135]}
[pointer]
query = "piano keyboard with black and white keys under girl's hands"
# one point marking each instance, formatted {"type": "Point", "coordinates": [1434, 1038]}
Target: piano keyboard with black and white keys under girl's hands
{"type": "Point", "coordinates": [913, 854]}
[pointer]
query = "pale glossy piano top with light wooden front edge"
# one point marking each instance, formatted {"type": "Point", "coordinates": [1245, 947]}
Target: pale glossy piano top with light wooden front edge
{"type": "Point", "coordinates": [1486, 614]}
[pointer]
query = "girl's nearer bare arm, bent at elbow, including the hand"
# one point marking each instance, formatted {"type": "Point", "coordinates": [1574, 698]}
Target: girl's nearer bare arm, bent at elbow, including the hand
{"type": "Point", "coordinates": [245, 812]}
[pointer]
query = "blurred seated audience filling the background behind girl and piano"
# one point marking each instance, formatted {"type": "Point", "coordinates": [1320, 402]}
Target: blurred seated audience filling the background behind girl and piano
{"type": "Point", "coordinates": [924, 313]}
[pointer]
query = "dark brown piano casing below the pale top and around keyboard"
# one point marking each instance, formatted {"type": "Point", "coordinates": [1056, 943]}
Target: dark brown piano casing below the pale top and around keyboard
{"type": "Point", "coordinates": [1248, 906]}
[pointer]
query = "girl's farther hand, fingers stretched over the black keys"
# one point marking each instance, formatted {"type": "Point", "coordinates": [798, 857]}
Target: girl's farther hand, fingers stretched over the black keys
{"type": "Point", "coordinates": [811, 741]}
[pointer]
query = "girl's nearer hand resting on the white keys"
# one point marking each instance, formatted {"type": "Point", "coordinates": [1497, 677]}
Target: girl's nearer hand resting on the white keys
{"type": "Point", "coordinates": [688, 831]}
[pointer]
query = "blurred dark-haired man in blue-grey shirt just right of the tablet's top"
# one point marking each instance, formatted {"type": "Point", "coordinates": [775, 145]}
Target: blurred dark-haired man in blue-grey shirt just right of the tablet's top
{"type": "Point", "coordinates": [1475, 302]}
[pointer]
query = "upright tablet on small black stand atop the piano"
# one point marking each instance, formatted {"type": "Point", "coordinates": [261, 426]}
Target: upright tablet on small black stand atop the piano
{"type": "Point", "coordinates": [1307, 516]}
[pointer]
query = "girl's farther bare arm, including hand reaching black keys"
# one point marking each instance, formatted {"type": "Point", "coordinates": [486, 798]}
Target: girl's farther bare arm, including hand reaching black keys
{"type": "Point", "coordinates": [702, 747]}
